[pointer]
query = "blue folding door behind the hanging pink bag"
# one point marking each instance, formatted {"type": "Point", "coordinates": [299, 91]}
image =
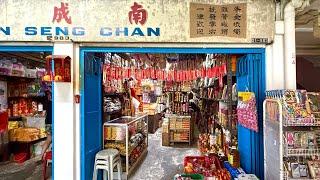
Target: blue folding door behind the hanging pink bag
{"type": "Point", "coordinates": [250, 71]}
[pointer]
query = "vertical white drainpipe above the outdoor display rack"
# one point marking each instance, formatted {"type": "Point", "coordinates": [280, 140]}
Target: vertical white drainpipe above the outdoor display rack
{"type": "Point", "coordinates": [289, 47]}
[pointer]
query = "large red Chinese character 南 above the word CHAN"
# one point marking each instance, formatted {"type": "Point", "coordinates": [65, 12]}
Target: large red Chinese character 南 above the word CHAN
{"type": "Point", "coordinates": [138, 14]}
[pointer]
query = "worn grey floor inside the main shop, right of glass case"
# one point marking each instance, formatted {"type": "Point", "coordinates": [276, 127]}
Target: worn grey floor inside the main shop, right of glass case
{"type": "Point", "coordinates": [161, 162]}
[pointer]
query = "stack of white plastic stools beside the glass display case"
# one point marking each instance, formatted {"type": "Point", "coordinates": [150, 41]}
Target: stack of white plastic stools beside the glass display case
{"type": "Point", "coordinates": [106, 160]}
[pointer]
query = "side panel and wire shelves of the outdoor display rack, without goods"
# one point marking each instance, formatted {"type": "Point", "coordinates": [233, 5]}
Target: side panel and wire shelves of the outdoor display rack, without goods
{"type": "Point", "coordinates": [276, 147]}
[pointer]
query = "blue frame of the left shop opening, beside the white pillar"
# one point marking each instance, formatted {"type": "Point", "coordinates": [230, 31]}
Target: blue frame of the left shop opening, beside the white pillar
{"type": "Point", "coordinates": [48, 49]}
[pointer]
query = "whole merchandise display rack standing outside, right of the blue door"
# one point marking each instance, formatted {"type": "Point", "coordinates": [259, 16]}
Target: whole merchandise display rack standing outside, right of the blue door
{"type": "Point", "coordinates": [292, 134]}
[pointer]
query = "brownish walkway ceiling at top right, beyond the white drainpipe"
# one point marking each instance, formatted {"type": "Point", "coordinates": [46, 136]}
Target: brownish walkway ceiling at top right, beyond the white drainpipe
{"type": "Point", "coordinates": [306, 43]}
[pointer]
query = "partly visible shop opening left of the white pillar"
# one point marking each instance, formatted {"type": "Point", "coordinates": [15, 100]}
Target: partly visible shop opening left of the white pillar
{"type": "Point", "coordinates": [26, 111]}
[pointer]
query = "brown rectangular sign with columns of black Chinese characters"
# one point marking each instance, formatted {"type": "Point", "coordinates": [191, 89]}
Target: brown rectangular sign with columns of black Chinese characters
{"type": "Point", "coordinates": [218, 20]}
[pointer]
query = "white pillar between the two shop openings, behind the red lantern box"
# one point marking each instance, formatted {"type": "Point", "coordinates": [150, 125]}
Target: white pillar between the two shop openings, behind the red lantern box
{"type": "Point", "coordinates": [64, 123]}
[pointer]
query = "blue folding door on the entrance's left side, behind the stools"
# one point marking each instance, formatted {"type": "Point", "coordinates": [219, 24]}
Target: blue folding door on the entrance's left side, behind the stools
{"type": "Point", "coordinates": [91, 110]}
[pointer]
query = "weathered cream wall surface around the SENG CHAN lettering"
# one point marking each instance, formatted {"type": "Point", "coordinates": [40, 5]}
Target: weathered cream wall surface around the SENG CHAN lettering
{"type": "Point", "coordinates": [171, 16]}
